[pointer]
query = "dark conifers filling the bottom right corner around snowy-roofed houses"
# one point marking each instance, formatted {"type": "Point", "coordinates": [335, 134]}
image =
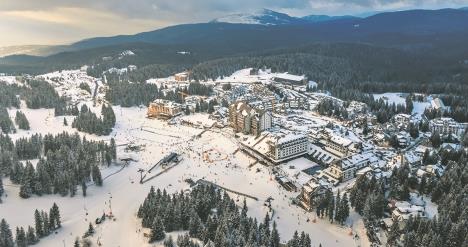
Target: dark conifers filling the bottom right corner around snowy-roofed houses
{"type": "Point", "coordinates": [369, 198]}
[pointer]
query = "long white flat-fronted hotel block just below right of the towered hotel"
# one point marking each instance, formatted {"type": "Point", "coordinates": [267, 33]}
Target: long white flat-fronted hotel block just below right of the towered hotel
{"type": "Point", "coordinates": [285, 146]}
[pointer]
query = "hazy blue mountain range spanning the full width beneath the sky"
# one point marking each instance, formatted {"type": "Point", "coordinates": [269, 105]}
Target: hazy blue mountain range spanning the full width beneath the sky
{"type": "Point", "coordinates": [441, 32]}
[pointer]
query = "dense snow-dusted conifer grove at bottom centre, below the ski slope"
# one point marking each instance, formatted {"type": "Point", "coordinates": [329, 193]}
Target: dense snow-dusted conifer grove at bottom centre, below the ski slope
{"type": "Point", "coordinates": [194, 212]}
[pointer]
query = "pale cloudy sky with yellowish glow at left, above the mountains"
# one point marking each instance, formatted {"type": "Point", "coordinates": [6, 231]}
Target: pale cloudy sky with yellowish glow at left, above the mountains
{"type": "Point", "coordinates": [64, 21]}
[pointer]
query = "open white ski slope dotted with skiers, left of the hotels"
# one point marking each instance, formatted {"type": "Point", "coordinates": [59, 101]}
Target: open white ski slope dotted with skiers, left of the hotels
{"type": "Point", "coordinates": [158, 139]}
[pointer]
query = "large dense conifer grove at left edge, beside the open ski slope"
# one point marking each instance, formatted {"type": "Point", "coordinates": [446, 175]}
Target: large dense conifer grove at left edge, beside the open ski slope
{"type": "Point", "coordinates": [65, 162]}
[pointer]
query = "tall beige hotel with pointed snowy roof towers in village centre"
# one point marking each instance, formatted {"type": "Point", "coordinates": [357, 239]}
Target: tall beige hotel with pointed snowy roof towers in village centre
{"type": "Point", "coordinates": [243, 118]}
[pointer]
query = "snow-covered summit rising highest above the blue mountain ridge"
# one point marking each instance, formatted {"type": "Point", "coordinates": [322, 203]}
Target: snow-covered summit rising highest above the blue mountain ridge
{"type": "Point", "coordinates": [262, 17]}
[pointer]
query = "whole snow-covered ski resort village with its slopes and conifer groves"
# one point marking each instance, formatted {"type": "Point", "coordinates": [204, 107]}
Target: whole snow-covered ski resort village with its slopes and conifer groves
{"type": "Point", "coordinates": [253, 158]}
